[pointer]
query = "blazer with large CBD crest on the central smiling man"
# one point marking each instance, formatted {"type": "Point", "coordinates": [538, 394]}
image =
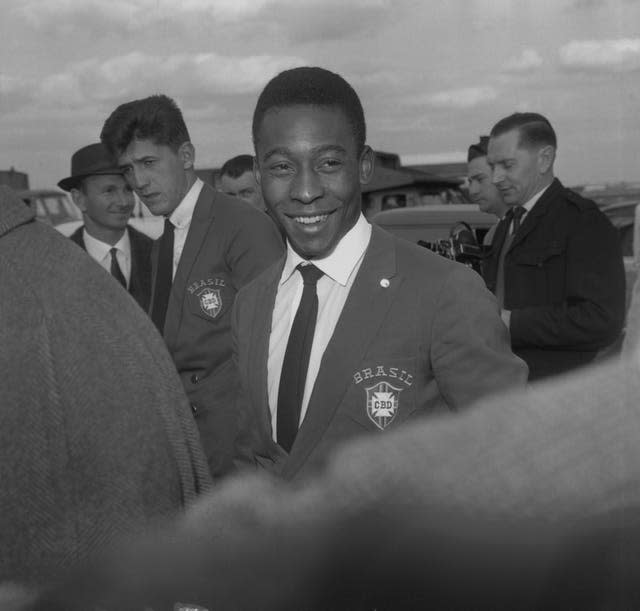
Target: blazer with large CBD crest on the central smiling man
{"type": "Point", "coordinates": [417, 330]}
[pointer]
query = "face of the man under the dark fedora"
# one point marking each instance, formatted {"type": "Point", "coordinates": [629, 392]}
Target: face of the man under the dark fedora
{"type": "Point", "coordinates": [106, 200]}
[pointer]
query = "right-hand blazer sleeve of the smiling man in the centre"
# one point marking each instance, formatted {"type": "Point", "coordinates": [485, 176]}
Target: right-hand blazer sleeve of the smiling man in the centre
{"type": "Point", "coordinates": [470, 348]}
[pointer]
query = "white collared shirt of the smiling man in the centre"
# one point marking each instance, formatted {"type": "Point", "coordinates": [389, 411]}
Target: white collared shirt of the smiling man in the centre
{"type": "Point", "coordinates": [340, 269]}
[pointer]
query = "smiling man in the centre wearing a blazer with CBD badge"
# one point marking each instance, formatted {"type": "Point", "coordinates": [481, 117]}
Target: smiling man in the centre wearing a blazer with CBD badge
{"type": "Point", "coordinates": [353, 331]}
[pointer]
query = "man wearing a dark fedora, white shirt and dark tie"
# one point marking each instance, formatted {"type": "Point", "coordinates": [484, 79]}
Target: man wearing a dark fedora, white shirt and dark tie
{"type": "Point", "coordinates": [106, 201]}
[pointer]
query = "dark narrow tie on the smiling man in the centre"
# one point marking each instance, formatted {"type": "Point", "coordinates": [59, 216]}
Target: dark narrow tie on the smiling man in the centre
{"type": "Point", "coordinates": [296, 359]}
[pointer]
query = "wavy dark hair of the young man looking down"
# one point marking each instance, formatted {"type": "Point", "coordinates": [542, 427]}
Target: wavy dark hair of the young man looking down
{"type": "Point", "coordinates": [155, 118]}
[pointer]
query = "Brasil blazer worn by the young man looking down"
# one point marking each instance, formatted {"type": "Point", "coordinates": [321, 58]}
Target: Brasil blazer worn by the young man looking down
{"type": "Point", "coordinates": [228, 244]}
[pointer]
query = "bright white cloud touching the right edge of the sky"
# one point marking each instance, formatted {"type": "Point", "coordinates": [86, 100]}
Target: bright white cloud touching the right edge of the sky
{"type": "Point", "coordinates": [621, 55]}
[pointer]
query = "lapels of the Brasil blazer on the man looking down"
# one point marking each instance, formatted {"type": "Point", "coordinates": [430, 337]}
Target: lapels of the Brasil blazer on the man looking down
{"type": "Point", "coordinates": [203, 216]}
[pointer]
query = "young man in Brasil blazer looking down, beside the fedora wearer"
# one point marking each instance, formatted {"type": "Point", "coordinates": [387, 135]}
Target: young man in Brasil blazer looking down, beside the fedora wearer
{"type": "Point", "coordinates": [211, 247]}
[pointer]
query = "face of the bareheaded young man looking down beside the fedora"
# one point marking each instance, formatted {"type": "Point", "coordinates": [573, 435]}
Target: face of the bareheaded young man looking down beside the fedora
{"type": "Point", "coordinates": [157, 173]}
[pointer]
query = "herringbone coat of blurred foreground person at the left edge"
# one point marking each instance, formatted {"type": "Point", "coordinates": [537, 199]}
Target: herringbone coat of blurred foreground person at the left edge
{"type": "Point", "coordinates": [96, 438]}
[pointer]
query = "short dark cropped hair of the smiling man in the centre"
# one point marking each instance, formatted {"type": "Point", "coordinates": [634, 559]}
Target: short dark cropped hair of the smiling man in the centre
{"type": "Point", "coordinates": [315, 87]}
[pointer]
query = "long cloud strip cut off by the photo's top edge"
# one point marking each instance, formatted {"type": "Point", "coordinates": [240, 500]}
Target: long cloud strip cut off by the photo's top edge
{"type": "Point", "coordinates": [296, 20]}
